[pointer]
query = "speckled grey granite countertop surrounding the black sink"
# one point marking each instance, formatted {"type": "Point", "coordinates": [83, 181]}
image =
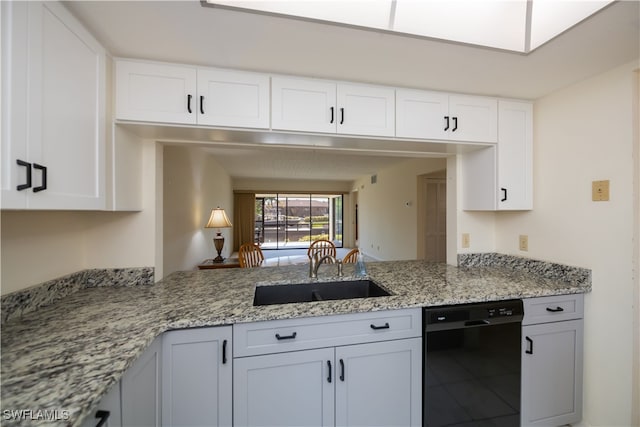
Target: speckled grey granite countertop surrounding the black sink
{"type": "Point", "coordinates": [66, 356]}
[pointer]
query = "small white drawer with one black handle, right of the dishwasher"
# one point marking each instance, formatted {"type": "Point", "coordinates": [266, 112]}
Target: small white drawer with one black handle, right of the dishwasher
{"type": "Point", "coordinates": [553, 309]}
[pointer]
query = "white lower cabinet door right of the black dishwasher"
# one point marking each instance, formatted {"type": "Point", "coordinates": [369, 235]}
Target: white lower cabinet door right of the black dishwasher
{"type": "Point", "coordinates": [552, 373]}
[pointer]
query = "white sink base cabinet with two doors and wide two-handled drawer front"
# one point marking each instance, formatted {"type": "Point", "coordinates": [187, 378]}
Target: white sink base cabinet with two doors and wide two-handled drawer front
{"type": "Point", "coordinates": [376, 383]}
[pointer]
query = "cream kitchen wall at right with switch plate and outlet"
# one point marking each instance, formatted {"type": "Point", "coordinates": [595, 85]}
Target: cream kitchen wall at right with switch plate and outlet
{"type": "Point", "coordinates": [585, 133]}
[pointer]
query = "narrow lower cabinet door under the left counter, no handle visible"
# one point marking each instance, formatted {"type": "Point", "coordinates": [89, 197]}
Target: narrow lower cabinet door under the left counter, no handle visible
{"type": "Point", "coordinates": [141, 389]}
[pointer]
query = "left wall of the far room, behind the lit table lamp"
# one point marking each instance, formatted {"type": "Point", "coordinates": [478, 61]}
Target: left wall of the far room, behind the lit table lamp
{"type": "Point", "coordinates": [194, 183]}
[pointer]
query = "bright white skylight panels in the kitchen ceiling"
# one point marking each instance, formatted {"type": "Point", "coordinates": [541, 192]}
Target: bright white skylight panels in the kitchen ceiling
{"type": "Point", "coordinates": [514, 25]}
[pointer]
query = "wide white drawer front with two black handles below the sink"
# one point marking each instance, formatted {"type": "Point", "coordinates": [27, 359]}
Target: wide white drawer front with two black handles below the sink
{"type": "Point", "coordinates": [277, 336]}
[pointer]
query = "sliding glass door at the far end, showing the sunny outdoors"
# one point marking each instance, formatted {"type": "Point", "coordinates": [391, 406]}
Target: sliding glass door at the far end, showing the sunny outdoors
{"type": "Point", "coordinates": [286, 221]}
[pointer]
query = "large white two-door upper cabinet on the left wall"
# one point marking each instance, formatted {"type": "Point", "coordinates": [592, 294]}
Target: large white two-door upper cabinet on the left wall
{"type": "Point", "coordinates": [53, 107]}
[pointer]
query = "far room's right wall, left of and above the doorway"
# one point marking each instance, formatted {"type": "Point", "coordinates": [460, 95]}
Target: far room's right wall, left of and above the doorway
{"type": "Point", "coordinates": [387, 226]}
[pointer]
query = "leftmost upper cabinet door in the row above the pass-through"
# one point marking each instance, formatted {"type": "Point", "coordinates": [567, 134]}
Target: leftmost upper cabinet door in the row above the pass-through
{"type": "Point", "coordinates": [154, 92]}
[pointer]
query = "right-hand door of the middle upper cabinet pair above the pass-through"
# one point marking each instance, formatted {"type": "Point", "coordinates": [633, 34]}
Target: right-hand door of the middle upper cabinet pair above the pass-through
{"type": "Point", "coordinates": [366, 110]}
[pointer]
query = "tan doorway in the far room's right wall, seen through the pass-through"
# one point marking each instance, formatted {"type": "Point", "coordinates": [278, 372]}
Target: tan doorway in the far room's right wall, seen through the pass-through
{"type": "Point", "coordinates": [432, 217]}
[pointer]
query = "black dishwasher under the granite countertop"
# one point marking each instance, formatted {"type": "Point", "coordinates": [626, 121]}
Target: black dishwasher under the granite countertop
{"type": "Point", "coordinates": [472, 364]}
